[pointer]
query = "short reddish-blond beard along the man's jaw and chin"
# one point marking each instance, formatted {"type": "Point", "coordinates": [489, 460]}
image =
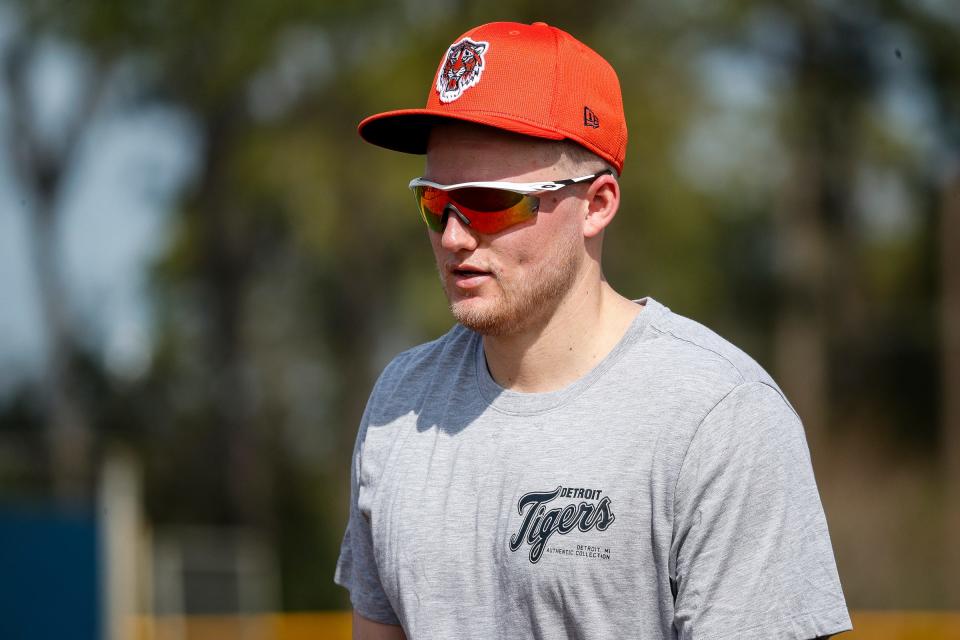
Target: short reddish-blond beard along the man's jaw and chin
{"type": "Point", "coordinates": [529, 301]}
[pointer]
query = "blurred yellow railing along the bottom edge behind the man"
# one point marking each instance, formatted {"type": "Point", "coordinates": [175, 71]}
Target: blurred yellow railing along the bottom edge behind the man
{"type": "Point", "coordinates": [868, 625]}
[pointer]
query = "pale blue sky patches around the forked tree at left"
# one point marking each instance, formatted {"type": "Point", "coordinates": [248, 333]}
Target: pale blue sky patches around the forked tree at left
{"type": "Point", "coordinates": [114, 223]}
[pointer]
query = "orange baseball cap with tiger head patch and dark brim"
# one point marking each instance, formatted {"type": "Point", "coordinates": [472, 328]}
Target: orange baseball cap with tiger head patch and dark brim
{"type": "Point", "coordinates": [535, 80]}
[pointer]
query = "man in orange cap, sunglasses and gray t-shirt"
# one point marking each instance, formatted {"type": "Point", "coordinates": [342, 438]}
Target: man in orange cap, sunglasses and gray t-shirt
{"type": "Point", "coordinates": [566, 462]}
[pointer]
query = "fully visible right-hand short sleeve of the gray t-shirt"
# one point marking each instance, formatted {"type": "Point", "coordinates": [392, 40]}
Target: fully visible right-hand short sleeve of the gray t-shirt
{"type": "Point", "coordinates": [751, 555]}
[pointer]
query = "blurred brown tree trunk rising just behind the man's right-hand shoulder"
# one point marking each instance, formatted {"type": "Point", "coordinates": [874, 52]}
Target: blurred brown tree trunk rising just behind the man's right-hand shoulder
{"type": "Point", "coordinates": [821, 307]}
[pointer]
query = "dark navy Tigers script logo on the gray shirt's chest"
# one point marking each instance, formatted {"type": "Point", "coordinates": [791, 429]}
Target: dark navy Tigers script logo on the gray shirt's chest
{"type": "Point", "coordinates": [539, 524]}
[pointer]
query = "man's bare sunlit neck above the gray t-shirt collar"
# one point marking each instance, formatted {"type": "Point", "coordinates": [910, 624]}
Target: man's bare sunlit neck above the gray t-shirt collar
{"type": "Point", "coordinates": [584, 328]}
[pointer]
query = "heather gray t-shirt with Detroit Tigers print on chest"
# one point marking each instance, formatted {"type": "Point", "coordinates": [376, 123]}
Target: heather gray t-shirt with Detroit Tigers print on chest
{"type": "Point", "coordinates": [666, 494]}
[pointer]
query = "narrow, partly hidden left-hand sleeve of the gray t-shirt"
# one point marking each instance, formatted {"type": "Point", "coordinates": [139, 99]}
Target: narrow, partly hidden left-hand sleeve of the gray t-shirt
{"type": "Point", "coordinates": [357, 567]}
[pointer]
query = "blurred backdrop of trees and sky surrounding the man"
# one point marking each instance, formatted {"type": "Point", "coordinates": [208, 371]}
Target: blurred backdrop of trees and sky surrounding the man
{"type": "Point", "coordinates": [203, 269]}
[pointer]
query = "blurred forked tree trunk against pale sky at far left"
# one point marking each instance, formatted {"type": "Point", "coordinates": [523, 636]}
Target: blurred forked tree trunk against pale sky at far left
{"type": "Point", "coordinates": [44, 160]}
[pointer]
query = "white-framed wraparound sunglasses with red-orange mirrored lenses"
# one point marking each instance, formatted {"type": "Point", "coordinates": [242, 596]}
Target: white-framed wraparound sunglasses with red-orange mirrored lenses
{"type": "Point", "coordinates": [485, 207]}
